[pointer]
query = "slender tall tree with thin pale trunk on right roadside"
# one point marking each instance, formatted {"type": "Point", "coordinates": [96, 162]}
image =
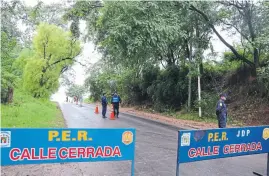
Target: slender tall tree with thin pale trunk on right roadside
{"type": "Point", "coordinates": [198, 39]}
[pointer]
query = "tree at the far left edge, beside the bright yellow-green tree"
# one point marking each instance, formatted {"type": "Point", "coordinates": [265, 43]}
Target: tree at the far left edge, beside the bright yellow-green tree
{"type": "Point", "coordinates": [10, 47]}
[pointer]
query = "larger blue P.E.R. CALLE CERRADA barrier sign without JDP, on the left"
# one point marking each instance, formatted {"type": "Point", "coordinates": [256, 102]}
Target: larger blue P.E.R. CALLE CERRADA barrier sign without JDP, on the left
{"type": "Point", "coordinates": [39, 146]}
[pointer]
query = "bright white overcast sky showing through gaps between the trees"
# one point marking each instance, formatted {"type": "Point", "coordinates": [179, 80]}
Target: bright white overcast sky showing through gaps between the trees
{"type": "Point", "coordinates": [92, 56]}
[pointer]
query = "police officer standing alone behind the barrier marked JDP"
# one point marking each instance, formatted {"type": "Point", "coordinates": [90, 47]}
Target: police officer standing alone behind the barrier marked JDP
{"type": "Point", "coordinates": [221, 111]}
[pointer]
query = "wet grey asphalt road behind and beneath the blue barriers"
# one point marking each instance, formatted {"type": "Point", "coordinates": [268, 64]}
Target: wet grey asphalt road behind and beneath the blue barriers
{"type": "Point", "coordinates": [156, 151]}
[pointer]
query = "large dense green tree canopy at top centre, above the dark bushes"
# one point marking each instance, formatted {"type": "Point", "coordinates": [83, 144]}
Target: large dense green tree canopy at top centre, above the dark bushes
{"type": "Point", "coordinates": [133, 32]}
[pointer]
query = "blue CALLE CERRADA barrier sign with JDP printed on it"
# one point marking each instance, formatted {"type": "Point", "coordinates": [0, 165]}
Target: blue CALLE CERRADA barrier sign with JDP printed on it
{"type": "Point", "coordinates": [198, 145]}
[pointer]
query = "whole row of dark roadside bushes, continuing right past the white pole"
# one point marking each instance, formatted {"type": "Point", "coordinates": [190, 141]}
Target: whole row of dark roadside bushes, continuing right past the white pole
{"type": "Point", "coordinates": [163, 90]}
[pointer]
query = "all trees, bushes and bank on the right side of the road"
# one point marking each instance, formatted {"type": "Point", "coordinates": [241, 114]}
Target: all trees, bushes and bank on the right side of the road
{"type": "Point", "coordinates": [159, 56]}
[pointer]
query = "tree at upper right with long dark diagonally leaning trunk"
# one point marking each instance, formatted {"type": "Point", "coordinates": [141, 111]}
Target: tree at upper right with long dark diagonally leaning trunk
{"type": "Point", "coordinates": [244, 17]}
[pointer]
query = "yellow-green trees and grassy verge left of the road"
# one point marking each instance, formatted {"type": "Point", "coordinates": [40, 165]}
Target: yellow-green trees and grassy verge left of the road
{"type": "Point", "coordinates": [32, 61]}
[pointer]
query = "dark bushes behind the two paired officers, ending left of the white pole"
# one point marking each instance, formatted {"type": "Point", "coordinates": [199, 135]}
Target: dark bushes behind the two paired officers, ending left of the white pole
{"type": "Point", "coordinates": [164, 89]}
